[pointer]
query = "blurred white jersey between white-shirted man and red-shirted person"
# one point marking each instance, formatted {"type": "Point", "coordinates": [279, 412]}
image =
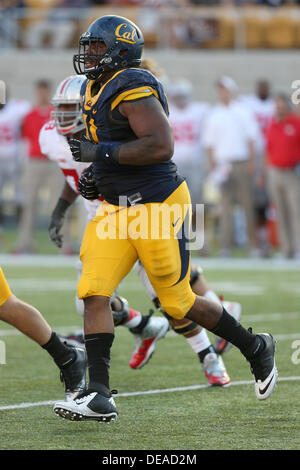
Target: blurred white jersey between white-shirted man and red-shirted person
{"type": "Point", "coordinates": [263, 111]}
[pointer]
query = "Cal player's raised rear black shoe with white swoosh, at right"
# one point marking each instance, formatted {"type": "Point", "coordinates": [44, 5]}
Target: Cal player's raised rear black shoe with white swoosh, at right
{"type": "Point", "coordinates": [264, 369]}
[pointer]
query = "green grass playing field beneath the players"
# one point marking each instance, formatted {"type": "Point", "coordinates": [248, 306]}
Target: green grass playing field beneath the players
{"type": "Point", "coordinates": [207, 418]}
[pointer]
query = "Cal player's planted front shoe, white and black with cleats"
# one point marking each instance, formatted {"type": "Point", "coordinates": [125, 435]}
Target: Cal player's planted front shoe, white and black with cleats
{"type": "Point", "coordinates": [90, 406]}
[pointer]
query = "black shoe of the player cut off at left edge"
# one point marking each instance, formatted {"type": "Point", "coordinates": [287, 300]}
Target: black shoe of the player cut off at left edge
{"type": "Point", "coordinates": [74, 375]}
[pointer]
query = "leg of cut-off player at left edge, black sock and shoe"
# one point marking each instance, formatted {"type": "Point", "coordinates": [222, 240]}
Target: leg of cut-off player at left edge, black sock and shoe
{"type": "Point", "coordinates": [27, 319]}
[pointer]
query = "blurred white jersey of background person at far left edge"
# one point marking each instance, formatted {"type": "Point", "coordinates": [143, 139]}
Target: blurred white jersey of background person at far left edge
{"type": "Point", "coordinates": [11, 117]}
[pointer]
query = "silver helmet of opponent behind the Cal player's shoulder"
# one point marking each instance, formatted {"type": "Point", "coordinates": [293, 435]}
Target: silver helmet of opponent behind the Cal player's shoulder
{"type": "Point", "coordinates": [67, 95]}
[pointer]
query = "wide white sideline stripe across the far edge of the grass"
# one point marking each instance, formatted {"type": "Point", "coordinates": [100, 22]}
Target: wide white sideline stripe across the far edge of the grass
{"type": "Point", "coordinates": [227, 264]}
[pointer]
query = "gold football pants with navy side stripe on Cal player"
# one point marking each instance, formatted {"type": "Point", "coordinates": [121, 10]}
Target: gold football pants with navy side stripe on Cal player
{"type": "Point", "coordinates": [155, 233]}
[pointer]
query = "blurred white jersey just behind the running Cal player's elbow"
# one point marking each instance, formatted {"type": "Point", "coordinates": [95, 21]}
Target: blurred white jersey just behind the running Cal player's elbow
{"type": "Point", "coordinates": [187, 127]}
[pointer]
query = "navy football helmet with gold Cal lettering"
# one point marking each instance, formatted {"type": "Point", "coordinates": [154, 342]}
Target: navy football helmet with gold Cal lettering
{"type": "Point", "coordinates": [124, 46]}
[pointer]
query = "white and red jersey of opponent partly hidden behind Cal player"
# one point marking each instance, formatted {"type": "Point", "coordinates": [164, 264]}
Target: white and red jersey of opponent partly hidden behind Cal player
{"type": "Point", "coordinates": [56, 148]}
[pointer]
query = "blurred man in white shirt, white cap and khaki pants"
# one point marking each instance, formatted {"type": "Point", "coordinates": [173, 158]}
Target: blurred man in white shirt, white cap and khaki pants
{"type": "Point", "coordinates": [229, 138]}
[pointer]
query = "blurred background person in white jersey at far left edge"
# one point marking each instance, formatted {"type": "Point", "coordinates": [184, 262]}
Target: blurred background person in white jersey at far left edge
{"type": "Point", "coordinates": [11, 151]}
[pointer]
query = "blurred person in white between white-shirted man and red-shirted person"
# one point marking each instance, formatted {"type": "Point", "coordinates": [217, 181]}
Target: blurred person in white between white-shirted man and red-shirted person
{"type": "Point", "coordinates": [262, 105]}
